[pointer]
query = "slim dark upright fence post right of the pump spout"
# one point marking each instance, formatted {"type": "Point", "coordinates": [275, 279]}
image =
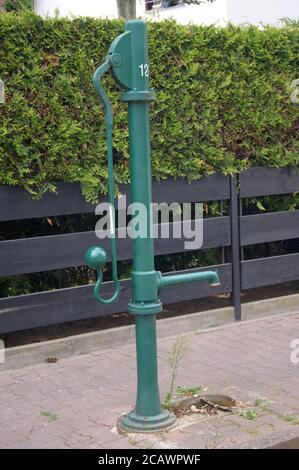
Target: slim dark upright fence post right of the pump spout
{"type": "Point", "coordinates": [235, 247]}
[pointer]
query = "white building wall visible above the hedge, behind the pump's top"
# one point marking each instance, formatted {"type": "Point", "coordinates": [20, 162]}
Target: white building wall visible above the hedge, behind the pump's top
{"type": "Point", "coordinates": [219, 12]}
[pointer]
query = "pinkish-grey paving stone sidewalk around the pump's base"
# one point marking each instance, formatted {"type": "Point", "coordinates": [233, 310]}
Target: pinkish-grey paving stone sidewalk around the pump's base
{"type": "Point", "coordinates": [75, 402]}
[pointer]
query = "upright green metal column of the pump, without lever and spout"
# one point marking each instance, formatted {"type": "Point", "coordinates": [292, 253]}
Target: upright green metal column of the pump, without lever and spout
{"type": "Point", "coordinates": [145, 304]}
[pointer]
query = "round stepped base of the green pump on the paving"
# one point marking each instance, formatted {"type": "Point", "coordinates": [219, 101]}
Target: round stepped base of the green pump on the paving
{"type": "Point", "coordinates": [131, 422]}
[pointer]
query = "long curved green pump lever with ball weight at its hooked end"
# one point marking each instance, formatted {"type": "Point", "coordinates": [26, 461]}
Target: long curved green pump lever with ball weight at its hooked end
{"type": "Point", "coordinates": [96, 257]}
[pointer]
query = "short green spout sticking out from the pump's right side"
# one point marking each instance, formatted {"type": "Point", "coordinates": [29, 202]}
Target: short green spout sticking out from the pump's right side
{"type": "Point", "coordinates": [175, 279]}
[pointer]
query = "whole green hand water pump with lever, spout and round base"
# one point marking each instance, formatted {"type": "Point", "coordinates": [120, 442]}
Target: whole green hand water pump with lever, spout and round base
{"type": "Point", "coordinates": [128, 61]}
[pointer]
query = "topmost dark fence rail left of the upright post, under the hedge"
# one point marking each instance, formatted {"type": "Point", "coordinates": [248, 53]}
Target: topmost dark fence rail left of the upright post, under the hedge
{"type": "Point", "coordinates": [68, 199]}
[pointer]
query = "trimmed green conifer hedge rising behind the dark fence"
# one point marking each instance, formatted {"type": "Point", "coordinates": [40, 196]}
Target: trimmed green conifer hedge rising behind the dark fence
{"type": "Point", "coordinates": [223, 101]}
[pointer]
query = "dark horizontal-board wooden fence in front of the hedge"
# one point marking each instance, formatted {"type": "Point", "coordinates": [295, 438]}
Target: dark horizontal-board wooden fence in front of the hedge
{"type": "Point", "coordinates": [229, 233]}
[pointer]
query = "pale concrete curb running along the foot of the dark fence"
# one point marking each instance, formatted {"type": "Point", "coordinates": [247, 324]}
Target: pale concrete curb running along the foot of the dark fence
{"type": "Point", "coordinates": [35, 353]}
